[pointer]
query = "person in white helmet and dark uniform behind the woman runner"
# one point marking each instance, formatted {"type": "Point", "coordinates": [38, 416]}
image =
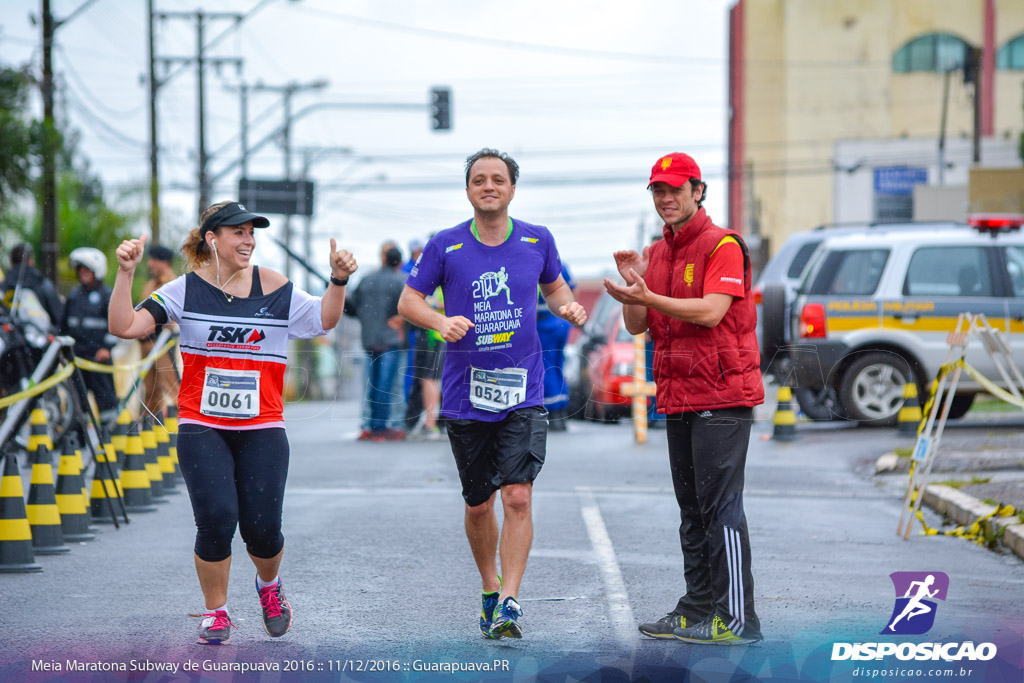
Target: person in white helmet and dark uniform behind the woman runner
{"type": "Point", "coordinates": [86, 321]}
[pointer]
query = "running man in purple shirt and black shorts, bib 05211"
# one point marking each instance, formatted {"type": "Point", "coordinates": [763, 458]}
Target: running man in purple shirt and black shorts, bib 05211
{"type": "Point", "coordinates": [489, 270]}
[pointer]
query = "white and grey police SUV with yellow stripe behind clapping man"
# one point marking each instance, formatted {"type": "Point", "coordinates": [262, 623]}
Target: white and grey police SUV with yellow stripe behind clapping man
{"type": "Point", "coordinates": [875, 310]}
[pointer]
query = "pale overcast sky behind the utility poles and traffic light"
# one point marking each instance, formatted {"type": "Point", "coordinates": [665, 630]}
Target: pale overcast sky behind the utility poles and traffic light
{"type": "Point", "coordinates": [579, 93]}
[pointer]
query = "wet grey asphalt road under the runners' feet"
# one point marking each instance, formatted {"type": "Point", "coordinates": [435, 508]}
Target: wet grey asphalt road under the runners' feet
{"type": "Point", "coordinates": [378, 570]}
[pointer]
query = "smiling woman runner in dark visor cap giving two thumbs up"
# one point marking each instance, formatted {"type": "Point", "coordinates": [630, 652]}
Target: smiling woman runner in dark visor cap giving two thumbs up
{"type": "Point", "coordinates": [236, 321]}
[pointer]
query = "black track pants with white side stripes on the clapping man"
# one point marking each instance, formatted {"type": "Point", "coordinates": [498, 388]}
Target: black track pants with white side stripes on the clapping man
{"type": "Point", "coordinates": [708, 453]}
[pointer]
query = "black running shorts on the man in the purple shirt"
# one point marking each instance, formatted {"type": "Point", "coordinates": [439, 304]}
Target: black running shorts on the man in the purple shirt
{"type": "Point", "coordinates": [492, 455]}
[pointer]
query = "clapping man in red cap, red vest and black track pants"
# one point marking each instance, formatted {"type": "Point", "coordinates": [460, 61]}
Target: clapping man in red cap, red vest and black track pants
{"type": "Point", "coordinates": [693, 290]}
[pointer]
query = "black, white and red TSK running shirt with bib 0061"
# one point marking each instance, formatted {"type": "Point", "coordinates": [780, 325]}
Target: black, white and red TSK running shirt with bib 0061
{"type": "Point", "coordinates": [235, 352]}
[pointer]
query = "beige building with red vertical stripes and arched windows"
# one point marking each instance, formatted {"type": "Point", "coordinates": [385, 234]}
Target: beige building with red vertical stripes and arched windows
{"type": "Point", "coordinates": [812, 79]}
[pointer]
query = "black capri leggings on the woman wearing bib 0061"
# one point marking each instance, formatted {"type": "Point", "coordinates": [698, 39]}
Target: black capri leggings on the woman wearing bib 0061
{"type": "Point", "coordinates": [235, 479]}
